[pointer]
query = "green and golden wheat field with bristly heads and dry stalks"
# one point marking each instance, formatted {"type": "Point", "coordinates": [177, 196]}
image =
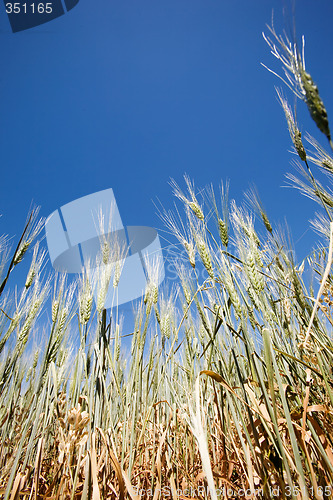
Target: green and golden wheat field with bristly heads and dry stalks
{"type": "Point", "coordinates": [228, 388]}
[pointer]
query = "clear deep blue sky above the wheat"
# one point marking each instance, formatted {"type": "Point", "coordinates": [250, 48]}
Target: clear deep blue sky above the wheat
{"type": "Point", "coordinates": [129, 93]}
